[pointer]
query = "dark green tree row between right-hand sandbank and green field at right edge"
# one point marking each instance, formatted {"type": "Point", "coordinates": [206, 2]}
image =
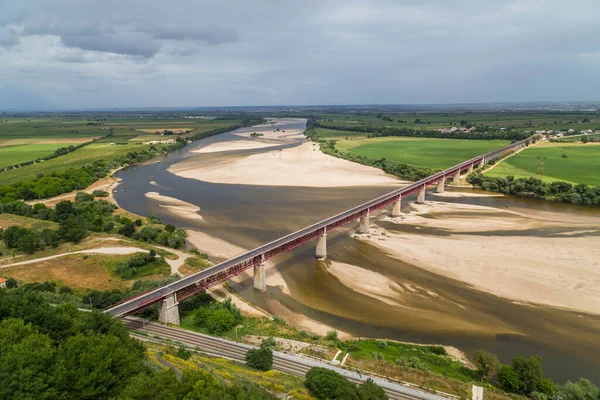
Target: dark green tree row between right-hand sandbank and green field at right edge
{"type": "Point", "coordinates": [535, 187]}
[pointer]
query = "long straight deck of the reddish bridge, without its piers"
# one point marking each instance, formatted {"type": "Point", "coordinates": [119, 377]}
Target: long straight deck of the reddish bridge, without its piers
{"type": "Point", "coordinates": [195, 283]}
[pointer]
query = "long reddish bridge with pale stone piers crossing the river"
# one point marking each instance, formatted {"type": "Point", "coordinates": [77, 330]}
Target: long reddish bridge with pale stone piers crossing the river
{"type": "Point", "coordinates": [168, 296]}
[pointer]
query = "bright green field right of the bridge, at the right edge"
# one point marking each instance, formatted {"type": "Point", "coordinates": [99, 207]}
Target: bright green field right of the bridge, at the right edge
{"type": "Point", "coordinates": [581, 165]}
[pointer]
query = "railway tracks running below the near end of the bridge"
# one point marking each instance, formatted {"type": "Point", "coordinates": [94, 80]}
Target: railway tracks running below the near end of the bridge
{"type": "Point", "coordinates": [291, 364]}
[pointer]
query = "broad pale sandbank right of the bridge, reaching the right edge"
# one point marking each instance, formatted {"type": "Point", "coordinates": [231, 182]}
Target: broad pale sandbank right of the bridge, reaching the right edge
{"type": "Point", "coordinates": [491, 250]}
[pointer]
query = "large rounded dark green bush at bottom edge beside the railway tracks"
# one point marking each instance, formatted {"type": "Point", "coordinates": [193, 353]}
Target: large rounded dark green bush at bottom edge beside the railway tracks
{"type": "Point", "coordinates": [324, 384]}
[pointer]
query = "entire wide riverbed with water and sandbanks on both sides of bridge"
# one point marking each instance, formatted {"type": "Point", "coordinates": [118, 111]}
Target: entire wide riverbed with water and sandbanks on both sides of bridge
{"type": "Point", "coordinates": [368, 286]}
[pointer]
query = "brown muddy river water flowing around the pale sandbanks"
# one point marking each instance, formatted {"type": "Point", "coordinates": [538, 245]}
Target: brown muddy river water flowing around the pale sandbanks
{"type": "Point", "coordinates": [441, 310]}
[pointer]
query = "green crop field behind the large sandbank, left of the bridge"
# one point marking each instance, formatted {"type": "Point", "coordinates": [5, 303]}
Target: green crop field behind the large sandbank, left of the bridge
{"type": "Point", "coordinates": [421, 152]}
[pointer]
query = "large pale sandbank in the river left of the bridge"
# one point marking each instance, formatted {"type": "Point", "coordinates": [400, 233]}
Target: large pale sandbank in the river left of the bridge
{"type": "Point", "coordinates": [302, 165]}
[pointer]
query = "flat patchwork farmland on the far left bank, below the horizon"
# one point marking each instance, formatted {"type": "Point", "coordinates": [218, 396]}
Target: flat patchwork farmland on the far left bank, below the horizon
{"type": "Point", "coordinates": [24, 139]}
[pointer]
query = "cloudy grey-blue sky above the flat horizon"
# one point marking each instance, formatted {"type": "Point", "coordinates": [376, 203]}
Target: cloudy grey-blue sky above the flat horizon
{"type": "Point", "coordinates": [78, 54]}
